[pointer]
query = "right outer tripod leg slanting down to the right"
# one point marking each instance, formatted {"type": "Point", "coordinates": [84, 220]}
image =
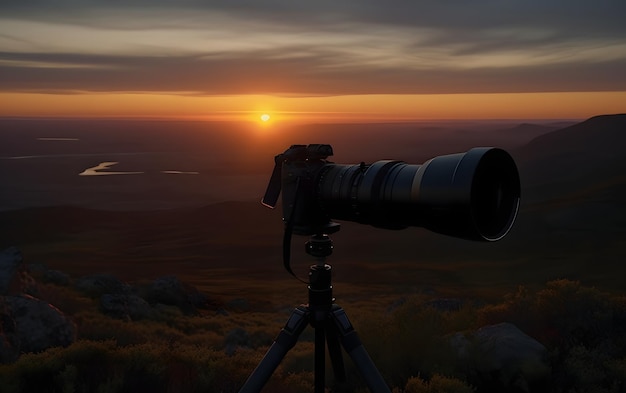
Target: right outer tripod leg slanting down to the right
{"type": "Point", "coordinates": [353, 346]}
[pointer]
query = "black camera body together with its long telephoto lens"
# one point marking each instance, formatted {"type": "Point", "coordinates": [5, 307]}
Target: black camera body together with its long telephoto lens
{"type": "Point", "coordinates": [473, 195]}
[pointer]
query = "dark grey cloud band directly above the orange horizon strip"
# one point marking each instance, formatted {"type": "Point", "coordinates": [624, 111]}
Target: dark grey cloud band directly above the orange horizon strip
{"type": "Point", "coordinates": [311, 74]}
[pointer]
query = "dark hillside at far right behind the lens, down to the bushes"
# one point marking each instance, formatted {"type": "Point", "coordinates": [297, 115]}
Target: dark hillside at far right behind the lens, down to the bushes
{"type": "Point", "coordinates": [573, 214]}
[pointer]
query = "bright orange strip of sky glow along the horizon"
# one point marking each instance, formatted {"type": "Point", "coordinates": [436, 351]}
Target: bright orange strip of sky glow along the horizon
{"type": "Point", "coordinates": [352, 108]}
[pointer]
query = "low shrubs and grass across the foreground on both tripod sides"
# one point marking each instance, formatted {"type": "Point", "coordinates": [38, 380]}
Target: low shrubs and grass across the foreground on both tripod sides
{"type": "Point", "coordinates": [583, 328]}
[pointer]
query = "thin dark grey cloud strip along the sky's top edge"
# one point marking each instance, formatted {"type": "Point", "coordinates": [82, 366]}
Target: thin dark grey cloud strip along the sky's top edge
{"type": "Point", "coordinates": [603, 17]}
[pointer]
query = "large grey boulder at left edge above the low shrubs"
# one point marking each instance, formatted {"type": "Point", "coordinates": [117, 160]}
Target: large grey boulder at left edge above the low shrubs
{"type": "Point", "coordinates": [38, 325]}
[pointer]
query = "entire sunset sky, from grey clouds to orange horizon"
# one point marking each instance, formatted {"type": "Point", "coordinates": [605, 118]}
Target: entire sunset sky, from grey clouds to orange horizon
{"type": "Point", "coordinates": [316, 60]}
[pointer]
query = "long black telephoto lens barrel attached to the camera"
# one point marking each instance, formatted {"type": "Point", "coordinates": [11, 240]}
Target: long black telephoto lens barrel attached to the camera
{"type": "Point", "coordinates": [473, 195]}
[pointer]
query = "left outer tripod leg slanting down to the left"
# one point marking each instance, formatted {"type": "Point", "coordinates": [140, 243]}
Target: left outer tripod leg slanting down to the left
{"type": "Point", "coordinates": [286, 339]}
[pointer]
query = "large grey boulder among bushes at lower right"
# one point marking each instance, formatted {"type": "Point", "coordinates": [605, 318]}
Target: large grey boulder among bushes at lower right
{"type": "Point", "coordinates": [503, 358]}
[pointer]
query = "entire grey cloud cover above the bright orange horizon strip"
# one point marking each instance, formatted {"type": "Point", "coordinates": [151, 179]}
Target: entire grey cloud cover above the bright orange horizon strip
{"type": "Point", "coordinates": [322, 47]}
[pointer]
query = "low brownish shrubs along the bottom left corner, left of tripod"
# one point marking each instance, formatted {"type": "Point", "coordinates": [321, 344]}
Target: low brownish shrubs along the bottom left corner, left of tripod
{"type": "Point", "coordinates": [103, 366]}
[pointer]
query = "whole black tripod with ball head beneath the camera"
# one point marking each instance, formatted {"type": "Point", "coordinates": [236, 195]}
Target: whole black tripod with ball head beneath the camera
{"type": "Point", "coordinates": [331, 325]}
